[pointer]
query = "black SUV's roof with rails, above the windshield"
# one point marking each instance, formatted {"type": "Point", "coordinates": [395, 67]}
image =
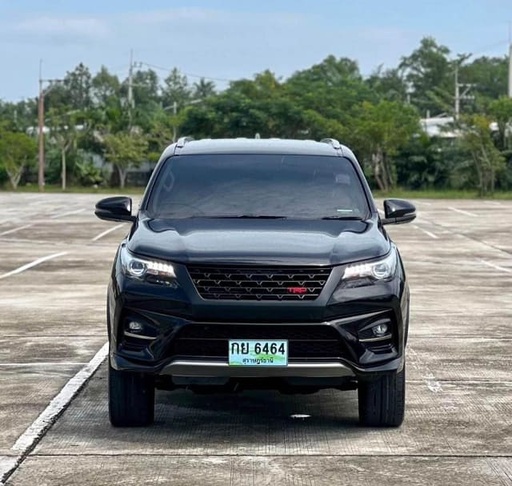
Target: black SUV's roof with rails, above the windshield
{"type": "Point", "coordinates": [254, 145]}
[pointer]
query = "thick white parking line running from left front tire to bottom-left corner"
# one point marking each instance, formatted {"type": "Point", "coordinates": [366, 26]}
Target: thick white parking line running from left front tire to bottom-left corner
{"type": "Point", "coordinates": [29, 439]}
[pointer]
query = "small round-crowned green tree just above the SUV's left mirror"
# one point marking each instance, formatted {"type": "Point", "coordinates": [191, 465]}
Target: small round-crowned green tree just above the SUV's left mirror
{"type": "Point", "coordinates": [125, 150]}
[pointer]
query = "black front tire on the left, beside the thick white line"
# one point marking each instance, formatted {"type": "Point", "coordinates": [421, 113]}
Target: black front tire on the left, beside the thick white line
{"type": "Point", "coordinates": [131, 398]}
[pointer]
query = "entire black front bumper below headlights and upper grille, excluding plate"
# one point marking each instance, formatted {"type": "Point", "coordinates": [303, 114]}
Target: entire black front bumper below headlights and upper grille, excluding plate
{"type": "Point", "coordinates": [188, 337]}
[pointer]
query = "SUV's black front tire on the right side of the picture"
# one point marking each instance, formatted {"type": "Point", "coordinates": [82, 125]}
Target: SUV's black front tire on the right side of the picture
{"type": "Point", "coordinates": [382, 402]}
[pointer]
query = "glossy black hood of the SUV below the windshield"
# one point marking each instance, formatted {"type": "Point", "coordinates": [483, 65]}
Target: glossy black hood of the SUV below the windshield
{"type": "Point", "coordinates": [258, 241]}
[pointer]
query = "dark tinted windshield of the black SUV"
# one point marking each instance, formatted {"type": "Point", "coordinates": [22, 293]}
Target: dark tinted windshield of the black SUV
{"type": "Point", "coordinates": [258, 185]}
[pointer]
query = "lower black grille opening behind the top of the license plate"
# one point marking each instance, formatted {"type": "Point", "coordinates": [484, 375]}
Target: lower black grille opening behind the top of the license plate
{"type": "Point", "coordinates": [211, 340]}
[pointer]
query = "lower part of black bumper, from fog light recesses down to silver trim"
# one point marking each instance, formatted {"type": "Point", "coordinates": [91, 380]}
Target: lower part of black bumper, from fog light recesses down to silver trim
{"type": "Point", "coordinates": [184, 348]}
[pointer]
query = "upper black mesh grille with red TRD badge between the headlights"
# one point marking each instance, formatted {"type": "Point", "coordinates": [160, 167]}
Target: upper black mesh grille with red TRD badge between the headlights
{"type": "Point", "coordinates": [258, 283]}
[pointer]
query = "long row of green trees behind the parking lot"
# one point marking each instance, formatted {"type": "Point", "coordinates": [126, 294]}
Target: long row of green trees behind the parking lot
{"type": "Point", "coordinates": [129, 121]}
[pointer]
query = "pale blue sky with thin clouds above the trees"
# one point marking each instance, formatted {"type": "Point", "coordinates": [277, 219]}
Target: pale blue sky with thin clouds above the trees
{"type": "Point", "coordinates": [232, 39]}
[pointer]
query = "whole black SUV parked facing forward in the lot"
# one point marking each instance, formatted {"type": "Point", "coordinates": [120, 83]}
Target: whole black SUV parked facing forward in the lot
{"type": "Point", "coordinates": [257, 264]}
